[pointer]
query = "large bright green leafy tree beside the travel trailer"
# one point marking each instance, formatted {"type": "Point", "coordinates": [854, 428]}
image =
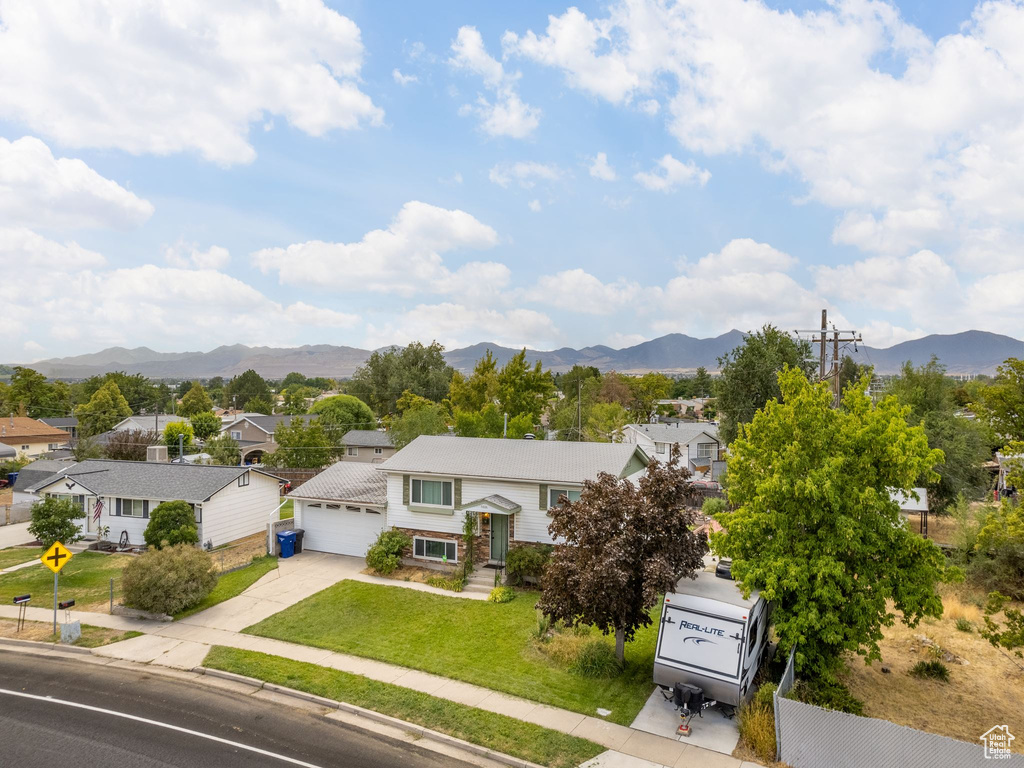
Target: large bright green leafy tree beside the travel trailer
{"type": "Point", "coordinates": [815, 529]}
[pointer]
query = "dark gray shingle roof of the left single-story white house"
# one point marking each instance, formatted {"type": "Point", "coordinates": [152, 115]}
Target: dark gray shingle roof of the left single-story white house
{"type": "Point", "coordinates": [150, 480]}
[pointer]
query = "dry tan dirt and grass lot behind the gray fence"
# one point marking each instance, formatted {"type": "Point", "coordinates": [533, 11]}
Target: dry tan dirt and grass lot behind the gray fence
{"type": "Point", "coordinates": [986, 689]}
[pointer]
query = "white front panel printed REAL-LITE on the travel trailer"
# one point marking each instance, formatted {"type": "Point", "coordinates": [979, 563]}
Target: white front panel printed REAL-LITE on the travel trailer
{"type": "Point", "coordinates": [701, 642]}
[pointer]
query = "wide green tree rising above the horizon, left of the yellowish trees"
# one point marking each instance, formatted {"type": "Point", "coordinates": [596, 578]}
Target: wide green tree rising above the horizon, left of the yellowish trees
{"type": "Point", "coordinates": [382, 379]}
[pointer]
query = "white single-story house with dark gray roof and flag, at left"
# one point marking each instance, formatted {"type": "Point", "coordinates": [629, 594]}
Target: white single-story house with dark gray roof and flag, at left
{"type": "Point", "coordinates": [231, 503]}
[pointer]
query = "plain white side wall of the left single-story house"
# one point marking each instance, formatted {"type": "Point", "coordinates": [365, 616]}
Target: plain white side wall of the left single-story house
{"type": "Point", "coordinates": [237, 513]}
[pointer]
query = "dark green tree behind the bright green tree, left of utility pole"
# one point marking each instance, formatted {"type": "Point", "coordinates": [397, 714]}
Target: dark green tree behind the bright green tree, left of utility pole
{"type": "Point", "coordinates": [750, 375]}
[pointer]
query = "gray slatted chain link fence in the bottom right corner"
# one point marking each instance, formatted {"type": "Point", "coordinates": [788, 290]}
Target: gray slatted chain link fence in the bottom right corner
{"type": "Point", "coordinates": [809, 737]}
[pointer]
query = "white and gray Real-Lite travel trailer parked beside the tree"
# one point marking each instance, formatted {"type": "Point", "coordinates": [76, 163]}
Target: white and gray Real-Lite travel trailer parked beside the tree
{"type": "Point", "coordinates": [712, 637]}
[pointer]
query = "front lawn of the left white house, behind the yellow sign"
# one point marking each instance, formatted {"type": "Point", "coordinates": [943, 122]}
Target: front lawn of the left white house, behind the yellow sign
{"type": "Point", "coordinates": [86, 580]}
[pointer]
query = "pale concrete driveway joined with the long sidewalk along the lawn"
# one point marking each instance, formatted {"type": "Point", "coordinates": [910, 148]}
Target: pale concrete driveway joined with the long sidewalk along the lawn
{"type": "Point", "coordinates": [185, 645]}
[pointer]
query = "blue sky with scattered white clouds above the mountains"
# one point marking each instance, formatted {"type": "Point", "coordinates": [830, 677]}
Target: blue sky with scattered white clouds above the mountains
{"type": "Point", "coordinates": [530, 174]}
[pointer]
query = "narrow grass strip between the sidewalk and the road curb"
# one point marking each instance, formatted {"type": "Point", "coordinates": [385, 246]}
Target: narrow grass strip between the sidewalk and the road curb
{"type": "Point", "coordinates": [498, 733]}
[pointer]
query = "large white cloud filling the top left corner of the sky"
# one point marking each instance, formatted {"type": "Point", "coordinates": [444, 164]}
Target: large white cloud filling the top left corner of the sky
{"type": "Point", "coordinates": [173, 76]}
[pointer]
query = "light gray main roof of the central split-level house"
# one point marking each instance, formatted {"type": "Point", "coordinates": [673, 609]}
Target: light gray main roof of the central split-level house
{"type": "Point", "coordinates": [543, 461]}
